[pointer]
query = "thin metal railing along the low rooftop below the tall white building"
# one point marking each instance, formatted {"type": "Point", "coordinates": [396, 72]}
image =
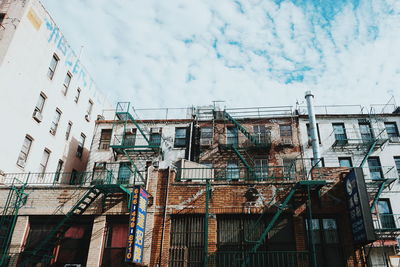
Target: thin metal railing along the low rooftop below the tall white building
{"type": "Point", "coordinates": [124, 177]}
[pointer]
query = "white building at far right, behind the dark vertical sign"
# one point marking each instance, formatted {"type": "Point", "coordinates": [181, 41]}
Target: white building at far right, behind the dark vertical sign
{"type": "Point", "coordinates": [347, 138]}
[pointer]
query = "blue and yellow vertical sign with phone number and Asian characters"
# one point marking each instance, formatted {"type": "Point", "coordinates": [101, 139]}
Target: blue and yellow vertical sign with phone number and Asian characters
{"type": "Point", "coordinates": [137, 222]}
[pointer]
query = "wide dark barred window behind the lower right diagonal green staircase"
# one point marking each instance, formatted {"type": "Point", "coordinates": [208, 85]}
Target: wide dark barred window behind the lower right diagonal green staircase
{"type": "Point", "coordinates": [235, 235]}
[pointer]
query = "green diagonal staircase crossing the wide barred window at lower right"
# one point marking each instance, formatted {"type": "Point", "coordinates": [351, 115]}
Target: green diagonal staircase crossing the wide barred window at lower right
{"type": "Point", "coordinates": [298, 195]}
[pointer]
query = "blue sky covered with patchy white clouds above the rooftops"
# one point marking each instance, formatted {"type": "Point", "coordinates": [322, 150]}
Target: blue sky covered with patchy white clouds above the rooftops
{"type": "Point", "coordinates": [179, 53]}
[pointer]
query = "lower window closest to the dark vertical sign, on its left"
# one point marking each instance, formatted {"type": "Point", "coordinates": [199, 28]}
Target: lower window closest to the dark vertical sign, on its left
{"type": "Point", "coordinates": [327, 243]}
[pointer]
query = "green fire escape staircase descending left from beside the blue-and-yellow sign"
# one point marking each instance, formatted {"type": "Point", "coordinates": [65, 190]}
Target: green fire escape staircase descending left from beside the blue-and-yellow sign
{"type": "Point", "coordinates": [43, 251]}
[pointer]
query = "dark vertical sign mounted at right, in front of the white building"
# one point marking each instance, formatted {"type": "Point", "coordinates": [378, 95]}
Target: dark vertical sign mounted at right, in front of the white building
{"type": "Point", "coordinates": [358, 206]}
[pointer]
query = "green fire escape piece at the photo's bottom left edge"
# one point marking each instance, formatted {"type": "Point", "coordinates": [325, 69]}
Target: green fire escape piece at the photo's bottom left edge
{"type": "Point", "coordinates": [15, 200]}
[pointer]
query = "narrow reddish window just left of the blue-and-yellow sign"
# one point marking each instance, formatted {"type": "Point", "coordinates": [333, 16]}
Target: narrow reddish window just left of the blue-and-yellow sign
{"type": "Point", "coordinates": [115, 243]}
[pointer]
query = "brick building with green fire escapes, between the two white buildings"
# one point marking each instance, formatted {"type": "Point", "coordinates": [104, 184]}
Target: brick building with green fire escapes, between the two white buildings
{"type": "Point", "coordinates": [226, 188]}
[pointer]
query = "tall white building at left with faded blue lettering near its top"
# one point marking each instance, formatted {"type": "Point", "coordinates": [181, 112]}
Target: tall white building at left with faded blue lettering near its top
{"type": "Point", "coordinates": [48, 101]}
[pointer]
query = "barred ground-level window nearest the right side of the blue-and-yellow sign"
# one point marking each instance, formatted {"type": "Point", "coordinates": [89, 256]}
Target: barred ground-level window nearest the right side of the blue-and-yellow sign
{"type": "Point", "coordinates": [187, 240]}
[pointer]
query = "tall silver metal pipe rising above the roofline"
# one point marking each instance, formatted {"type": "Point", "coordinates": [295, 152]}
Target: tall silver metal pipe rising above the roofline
{"type": "Point", "coordinates": [313, 130]}
